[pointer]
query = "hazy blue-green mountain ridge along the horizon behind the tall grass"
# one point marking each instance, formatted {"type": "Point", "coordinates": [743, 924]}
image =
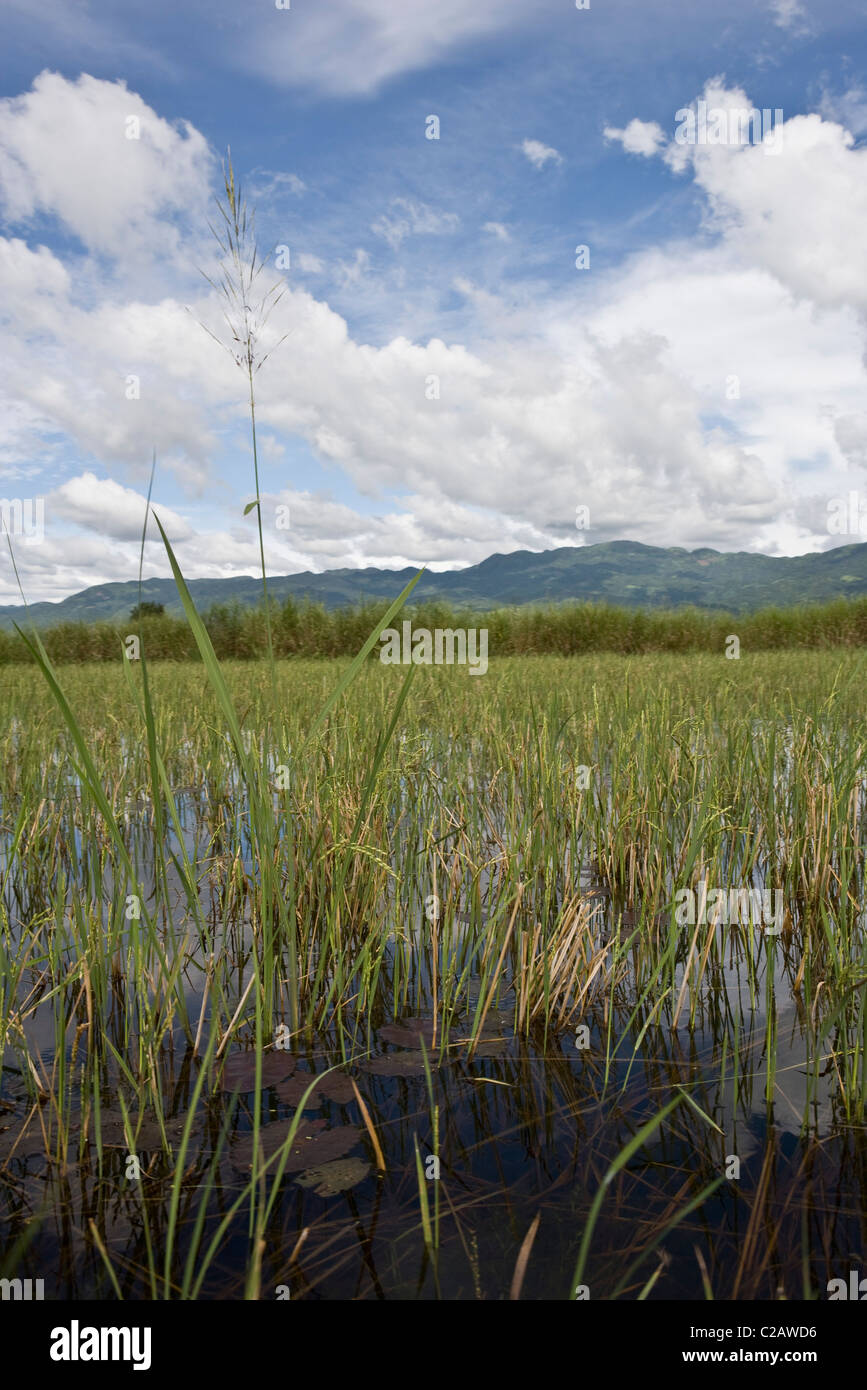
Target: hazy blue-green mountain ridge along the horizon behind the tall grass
{"type": "Point", "coordinates": [626, 573]}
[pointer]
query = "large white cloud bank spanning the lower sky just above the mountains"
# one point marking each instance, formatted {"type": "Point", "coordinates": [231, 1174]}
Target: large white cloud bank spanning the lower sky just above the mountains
{"type": "Point", "coordinates": [687, 397]}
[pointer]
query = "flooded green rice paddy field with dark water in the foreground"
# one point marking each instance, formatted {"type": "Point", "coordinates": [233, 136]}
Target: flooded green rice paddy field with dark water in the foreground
{"type": "Point", "coordinates": [379, 989]}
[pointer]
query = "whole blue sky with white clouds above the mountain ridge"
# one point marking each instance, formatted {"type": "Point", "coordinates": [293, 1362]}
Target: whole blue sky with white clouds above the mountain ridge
{"type": "Point", "coordinates": [533, 279]}
